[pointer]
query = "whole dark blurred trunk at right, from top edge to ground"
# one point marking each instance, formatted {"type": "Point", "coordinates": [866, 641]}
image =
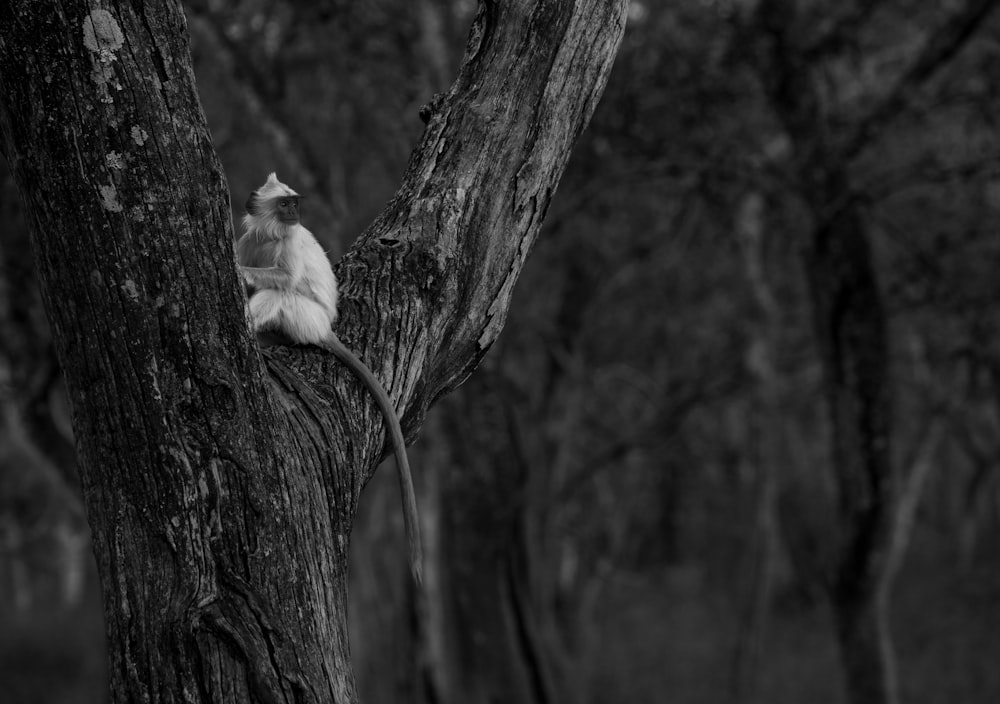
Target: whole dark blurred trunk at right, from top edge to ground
{"type": "Point", "coordinates": [852, 341]}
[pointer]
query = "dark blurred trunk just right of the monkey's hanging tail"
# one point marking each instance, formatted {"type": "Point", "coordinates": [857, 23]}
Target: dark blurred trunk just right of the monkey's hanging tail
{"type": "Point", "coordinates": [488, 624]}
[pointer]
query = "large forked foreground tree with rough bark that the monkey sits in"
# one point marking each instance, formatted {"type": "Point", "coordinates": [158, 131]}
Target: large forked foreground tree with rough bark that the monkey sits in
{"type": "Point", "coordinates": [221, 482]}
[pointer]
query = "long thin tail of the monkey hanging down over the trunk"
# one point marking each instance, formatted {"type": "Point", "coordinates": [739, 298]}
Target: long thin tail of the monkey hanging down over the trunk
{"type": "Point", "coordinates": [408, 495]}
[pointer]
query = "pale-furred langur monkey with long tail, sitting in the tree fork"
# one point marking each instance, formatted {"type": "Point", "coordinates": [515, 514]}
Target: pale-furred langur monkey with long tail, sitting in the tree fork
{"type": "Point", "coordinates": [293, 293]}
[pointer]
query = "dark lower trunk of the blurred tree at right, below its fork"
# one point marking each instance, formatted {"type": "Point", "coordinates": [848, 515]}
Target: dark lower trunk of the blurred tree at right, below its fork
{"type": "Point", "coordinates": [852, 339]}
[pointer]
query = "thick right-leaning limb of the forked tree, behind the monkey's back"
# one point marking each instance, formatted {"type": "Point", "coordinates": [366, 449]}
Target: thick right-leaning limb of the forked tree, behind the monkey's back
{"type": "Point", "coordinates": [476, 189]}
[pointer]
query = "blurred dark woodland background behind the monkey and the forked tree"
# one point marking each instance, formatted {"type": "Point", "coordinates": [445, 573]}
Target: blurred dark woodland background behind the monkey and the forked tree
{"type": "Point", "coordinates": [752, 372]}
